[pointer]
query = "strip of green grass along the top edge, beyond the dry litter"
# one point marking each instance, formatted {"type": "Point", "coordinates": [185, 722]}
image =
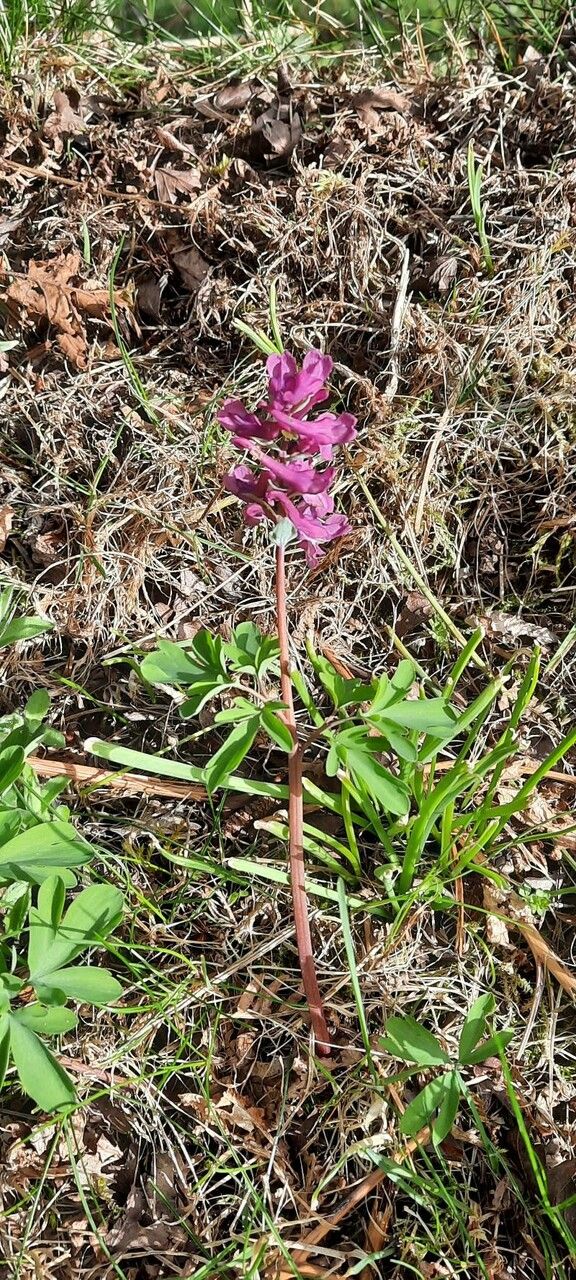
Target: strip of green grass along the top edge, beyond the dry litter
{"type": "Point", "coordinates": [332, 25]}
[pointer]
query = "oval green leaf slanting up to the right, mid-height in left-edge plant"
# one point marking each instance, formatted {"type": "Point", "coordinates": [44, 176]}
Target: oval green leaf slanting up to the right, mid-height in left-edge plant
{"type": "Point", "coordinates": [89, 920]}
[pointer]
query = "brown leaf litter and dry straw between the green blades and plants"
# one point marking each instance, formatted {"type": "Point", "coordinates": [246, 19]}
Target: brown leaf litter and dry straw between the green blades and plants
{"type": "Point", "coordinates": [179, 207]}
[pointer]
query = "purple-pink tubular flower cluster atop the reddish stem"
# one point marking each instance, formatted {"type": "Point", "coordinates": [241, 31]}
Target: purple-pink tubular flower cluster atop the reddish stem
{"type": "Point", "coordinates": [286, 481]}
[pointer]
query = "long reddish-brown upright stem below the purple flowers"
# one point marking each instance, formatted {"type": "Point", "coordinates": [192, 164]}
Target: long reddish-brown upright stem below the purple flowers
{"type": "Point", "coordinates": [296, 828]}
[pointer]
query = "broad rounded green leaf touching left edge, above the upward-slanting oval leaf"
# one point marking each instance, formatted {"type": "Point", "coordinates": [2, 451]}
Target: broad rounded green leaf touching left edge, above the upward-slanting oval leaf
{"type": "Point", "coordinates": [36, 853]}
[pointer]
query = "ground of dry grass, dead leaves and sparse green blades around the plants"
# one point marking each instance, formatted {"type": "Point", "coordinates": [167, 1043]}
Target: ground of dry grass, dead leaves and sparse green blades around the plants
{"type": "Point", "coordinates": [153, 200]}
